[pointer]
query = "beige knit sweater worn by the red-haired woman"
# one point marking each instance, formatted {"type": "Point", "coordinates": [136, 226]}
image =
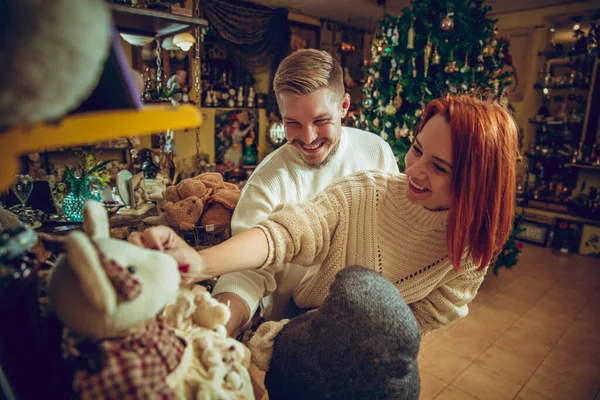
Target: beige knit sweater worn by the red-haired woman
{"type": "Point", "coordinates": [365, 219]}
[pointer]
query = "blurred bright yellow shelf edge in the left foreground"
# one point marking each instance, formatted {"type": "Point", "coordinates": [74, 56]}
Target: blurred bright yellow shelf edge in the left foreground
{"type": "Point", "coordinates": [86, 128]}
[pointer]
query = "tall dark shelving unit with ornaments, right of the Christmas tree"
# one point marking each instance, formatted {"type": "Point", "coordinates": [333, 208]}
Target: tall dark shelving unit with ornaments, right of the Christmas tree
{"type": "Point", "coordinates": [557, 153]}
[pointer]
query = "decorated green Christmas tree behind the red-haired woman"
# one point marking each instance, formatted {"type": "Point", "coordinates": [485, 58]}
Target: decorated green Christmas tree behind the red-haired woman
{"type": "Point", "coordinates": [433, 48]}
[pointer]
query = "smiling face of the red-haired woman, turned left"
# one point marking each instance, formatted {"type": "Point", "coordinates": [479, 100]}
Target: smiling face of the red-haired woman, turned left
{"type": "Point", "coordinates": [429, 166]}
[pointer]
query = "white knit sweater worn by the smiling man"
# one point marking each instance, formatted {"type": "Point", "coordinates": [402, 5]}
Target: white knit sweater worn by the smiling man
{"type": "Point", "coordinates": [281, 178]}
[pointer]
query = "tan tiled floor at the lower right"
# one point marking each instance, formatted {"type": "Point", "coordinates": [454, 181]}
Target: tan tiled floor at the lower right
{"type": "Point", "coordinates": [533, 333]}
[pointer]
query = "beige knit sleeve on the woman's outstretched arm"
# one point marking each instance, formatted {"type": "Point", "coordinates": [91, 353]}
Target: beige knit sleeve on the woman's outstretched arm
{"type": "Point", "coordinates": [302, 233]}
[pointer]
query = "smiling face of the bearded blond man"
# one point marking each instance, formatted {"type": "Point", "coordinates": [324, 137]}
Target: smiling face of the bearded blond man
{"type": "Point", "coordinates": [313, 122]}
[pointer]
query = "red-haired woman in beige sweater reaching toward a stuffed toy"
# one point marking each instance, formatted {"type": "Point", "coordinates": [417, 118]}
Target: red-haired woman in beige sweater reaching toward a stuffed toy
{"type": "Point", "coordinates": [431, 231]}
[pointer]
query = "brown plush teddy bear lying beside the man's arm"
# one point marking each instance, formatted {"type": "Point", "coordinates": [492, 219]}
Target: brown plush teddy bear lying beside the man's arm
{"type": "Point", "coordinates": [203, 200]}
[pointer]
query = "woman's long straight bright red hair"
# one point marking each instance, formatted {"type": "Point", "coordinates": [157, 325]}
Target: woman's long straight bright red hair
{"type": "Point", "coordinates": [485, 151]}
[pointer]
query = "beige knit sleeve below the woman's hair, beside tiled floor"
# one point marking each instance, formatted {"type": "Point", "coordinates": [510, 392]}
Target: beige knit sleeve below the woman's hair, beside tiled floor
{"type": "Point", "coordinates": [449, 301]}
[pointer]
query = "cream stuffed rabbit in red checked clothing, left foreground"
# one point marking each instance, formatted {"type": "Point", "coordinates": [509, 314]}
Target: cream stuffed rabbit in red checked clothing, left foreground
{"type": "Point", "coordinates": [108, 294]}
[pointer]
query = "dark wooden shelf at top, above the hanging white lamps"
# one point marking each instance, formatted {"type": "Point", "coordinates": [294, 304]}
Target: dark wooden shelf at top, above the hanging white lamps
{"type": "Point", "coordinates": [151, 22]}
